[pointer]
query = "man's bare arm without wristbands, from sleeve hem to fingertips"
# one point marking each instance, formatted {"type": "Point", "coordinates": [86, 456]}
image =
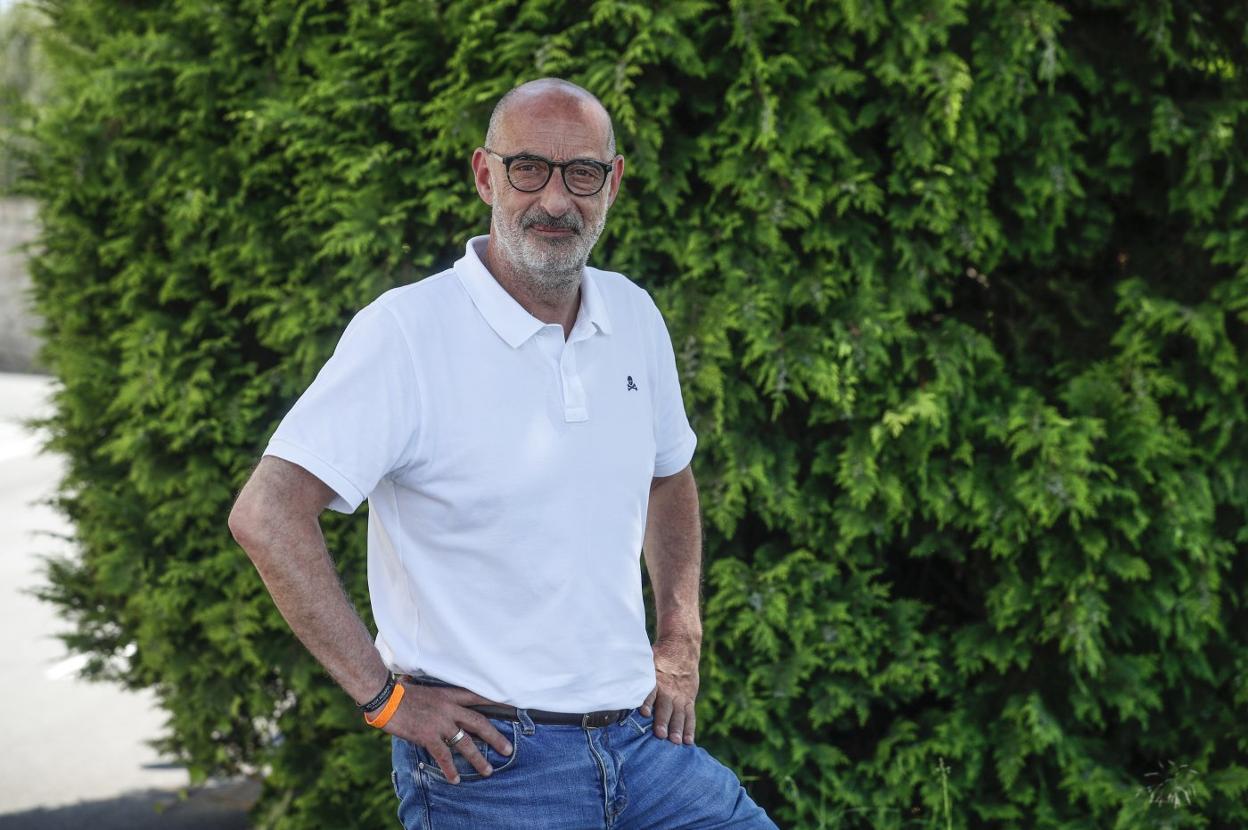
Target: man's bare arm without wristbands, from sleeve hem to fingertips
{"type": "Point", "coordinates": [673, 559]}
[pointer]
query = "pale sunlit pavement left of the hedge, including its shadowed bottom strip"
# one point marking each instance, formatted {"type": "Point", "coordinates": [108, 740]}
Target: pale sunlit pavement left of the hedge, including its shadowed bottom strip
{"type": "Point", "coordinates": [73, 754]}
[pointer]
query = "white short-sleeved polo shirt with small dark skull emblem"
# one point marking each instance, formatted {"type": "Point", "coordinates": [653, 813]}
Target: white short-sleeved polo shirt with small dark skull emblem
{"type": "Point", "coordinates": [507, 475]}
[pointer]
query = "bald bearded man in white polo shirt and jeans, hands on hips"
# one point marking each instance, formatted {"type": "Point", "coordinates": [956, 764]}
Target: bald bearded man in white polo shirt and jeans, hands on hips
{"type": "Point", "coordinates": [516, 424]}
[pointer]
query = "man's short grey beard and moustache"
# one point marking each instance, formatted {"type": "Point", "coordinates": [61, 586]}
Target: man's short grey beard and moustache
{"type": "Point", "coordinates": [550, 269]}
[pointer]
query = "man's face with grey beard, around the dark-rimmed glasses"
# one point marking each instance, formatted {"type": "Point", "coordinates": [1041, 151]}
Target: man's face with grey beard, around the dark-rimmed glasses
{"type": "Point", "coordinates": [552, 232]}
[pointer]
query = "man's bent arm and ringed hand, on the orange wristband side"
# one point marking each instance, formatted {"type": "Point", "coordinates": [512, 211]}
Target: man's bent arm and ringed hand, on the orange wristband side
{"type": "Point", "coordinates": [276, 521]}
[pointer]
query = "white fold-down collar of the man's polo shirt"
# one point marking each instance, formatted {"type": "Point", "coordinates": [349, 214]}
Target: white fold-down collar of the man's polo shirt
{"type": "Point", "coordinates": [509, 318]}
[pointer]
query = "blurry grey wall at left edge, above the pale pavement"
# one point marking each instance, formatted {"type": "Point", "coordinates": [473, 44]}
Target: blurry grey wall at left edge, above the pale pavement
{"type": "Point", "coordinates": [18, 323]}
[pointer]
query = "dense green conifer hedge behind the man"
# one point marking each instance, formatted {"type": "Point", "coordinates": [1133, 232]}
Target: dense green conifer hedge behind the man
{"type": "Point", "coordinates": [959, 294]}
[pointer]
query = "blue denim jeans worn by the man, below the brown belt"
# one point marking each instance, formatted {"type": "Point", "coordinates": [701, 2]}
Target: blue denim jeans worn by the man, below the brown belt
{"type": "Point", "coordinates": [571, 778]}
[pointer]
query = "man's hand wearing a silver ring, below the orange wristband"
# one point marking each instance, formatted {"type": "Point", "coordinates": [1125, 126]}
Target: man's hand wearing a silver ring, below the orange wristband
{"type": "Point", "coordinates": [429, 715]}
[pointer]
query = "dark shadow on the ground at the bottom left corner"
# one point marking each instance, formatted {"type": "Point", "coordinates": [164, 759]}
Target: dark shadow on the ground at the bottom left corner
{"type": "Point", "coordinates": [215, 807]}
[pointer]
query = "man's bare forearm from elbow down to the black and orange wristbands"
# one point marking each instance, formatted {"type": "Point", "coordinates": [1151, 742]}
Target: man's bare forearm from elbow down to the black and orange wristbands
{"type": "Point", "coordinates": [293, 560]}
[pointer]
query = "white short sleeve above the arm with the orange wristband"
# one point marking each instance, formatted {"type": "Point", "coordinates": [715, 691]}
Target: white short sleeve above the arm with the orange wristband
{"type": "Point", "coordinates": [358, 421]}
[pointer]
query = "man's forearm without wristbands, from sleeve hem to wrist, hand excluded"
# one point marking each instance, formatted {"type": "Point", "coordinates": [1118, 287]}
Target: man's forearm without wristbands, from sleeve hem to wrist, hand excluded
{"type": "Point", "coordinates": [673, 559]}
